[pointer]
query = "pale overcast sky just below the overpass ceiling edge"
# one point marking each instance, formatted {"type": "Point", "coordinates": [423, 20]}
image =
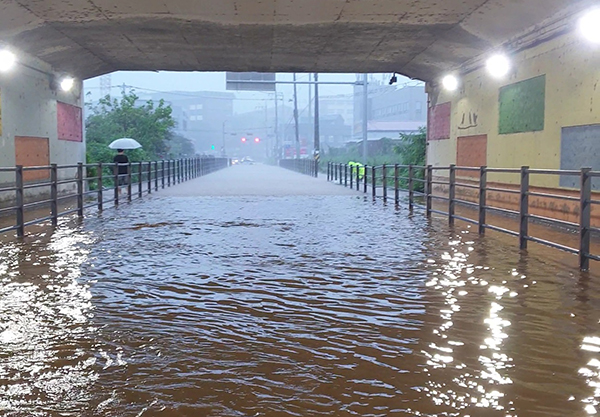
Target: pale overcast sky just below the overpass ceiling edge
{"type": "Point", "coordinates": [147, 82]}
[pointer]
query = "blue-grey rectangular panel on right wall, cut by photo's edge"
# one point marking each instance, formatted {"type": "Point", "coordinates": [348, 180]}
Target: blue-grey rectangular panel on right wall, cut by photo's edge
{"type": "Point", "coordinates": [580, 147]}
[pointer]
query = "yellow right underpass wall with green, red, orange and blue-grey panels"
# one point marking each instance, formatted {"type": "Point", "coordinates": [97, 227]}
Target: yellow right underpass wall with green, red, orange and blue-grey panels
{"type": "Point", "coordinates": [545, 114]}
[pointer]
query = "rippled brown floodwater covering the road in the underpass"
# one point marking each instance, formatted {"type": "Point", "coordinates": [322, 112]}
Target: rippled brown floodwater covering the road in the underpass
{"type": "Point", "coordinates": [291, 306]}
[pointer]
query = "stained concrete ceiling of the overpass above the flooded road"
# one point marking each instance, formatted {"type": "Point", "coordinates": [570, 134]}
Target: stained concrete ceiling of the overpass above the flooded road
{"type": "Point", "coordinates": [418, 38]}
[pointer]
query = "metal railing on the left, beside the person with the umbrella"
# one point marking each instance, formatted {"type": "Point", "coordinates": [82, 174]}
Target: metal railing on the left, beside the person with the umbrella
{"type": "Point", "coordinates": [148, 176]}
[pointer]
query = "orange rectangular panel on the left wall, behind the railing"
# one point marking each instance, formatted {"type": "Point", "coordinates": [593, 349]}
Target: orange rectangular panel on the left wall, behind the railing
{"type": "Point", "coordinates": [32, 151]}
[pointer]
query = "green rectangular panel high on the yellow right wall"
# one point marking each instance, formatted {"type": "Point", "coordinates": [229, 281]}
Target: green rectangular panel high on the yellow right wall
{"type": "Point", "coordinates": [522, 106]}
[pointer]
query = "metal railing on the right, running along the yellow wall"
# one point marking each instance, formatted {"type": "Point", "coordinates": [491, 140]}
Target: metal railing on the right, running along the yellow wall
{"type": "Point", "coordinates": [379, 177]}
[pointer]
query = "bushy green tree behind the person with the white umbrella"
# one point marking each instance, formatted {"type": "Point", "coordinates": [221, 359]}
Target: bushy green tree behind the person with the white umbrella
{"type": "Point", "coordinates": [112, 119]}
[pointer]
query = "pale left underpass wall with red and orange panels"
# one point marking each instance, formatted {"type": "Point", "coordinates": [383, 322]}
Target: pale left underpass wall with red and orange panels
{"type": "Point", "coordinates": [40, 124]}
